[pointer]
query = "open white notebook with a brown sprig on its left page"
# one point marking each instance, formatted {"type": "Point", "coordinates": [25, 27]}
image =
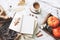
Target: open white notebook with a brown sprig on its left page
{"type": "Point", "coordinates": [25, 25]}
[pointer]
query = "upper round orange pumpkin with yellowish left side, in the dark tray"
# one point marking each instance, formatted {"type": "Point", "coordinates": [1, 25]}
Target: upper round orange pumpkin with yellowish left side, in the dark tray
{"type": "Point", "coordinates": [53, 21]}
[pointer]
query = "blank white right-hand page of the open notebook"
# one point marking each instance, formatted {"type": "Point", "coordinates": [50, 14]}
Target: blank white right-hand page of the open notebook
{"type": "Point", "coordinates": [28, 25]}
